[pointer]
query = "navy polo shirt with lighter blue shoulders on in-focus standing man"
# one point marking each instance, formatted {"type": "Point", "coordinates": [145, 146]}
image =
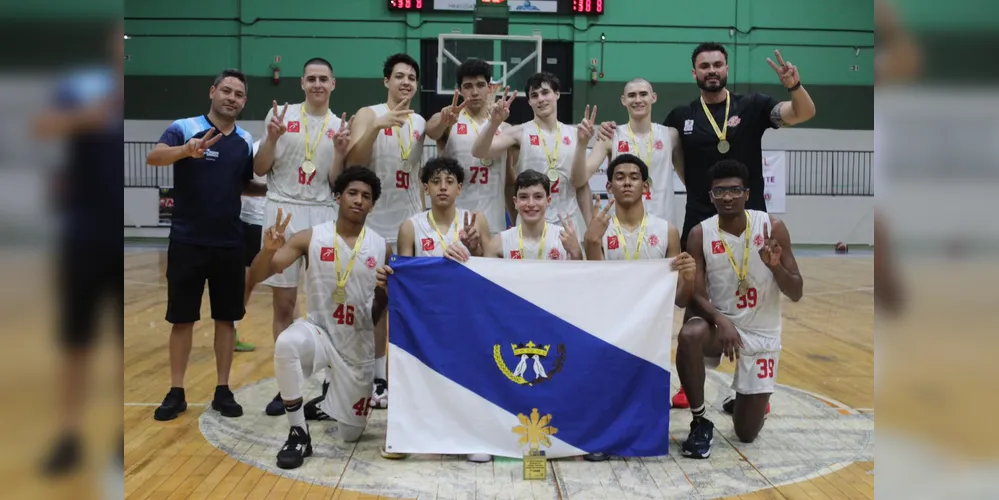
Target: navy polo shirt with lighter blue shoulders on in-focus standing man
{"type": "Point", "coordinates": [206, 191]}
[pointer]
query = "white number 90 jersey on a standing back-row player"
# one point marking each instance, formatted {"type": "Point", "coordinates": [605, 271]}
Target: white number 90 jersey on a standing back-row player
{"type": "Point", "coordinates": [401, 190]}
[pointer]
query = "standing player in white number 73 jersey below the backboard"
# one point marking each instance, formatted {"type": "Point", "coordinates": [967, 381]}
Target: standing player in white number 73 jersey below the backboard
{"type": "Point", "coordinates": [455, 129]}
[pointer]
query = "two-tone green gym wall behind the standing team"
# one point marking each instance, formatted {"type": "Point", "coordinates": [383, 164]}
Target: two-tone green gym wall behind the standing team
{"type": "Point", "coordinates": [176, 46]}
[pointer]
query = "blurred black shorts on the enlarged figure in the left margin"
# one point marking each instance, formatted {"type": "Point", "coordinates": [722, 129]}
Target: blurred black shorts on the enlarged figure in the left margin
{"type": "Point", "coordinates": [88, 283]}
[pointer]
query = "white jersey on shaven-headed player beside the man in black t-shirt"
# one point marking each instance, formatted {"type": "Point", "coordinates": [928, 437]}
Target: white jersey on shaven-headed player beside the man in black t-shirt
{"type": "Point", "coordinates": [656, 150]}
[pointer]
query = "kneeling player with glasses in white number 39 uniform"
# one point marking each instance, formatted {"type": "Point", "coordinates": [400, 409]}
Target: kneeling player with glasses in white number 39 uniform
{"type": "Point", "coordinates": [744, 264]}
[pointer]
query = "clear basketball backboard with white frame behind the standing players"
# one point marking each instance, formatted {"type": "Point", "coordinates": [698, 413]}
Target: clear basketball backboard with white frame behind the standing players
{"type": "Point", "coordinates": [514, 58]}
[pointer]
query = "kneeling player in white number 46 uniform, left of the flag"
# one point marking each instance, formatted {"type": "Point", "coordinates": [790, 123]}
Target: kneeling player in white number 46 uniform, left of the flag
{"type": "Point", "coordinates": [337, 333]}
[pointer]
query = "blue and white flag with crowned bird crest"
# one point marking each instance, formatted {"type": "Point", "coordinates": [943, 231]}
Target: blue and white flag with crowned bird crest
{"type": "Point", "coordinates": [496, 356]}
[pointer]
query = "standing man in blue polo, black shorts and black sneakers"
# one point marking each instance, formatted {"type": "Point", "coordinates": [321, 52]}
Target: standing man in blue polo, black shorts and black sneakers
{"type": "Point", "coordinates": [212, 162]}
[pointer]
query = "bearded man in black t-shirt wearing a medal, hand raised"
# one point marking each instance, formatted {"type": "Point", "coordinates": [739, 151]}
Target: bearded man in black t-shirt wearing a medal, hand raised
{"type": "Point", "coordinates": [733, 129]}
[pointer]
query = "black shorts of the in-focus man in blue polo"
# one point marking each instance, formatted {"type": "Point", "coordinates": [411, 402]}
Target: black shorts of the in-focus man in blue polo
{"type": "Point", "coordinates": [189, 267]}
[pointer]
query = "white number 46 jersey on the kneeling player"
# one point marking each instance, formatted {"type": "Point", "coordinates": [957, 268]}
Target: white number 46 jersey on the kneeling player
{"type": "Point", "coordinates": [350, 324]}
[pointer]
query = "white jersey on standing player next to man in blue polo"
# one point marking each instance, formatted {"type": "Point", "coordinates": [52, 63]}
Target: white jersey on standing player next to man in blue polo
{"type": "Point", "coordinates": [287, 181]}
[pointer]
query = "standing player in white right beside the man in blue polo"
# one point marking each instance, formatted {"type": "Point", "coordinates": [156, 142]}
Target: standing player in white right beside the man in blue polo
{"type": "Point", "coordinates": [304, 147]}
